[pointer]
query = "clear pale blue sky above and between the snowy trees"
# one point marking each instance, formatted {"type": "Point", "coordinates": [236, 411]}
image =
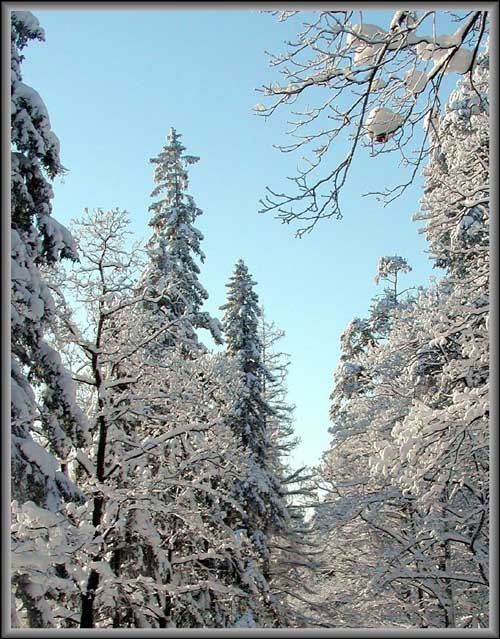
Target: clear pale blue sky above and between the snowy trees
{"type": "Point", "coordinates": [114, 82]}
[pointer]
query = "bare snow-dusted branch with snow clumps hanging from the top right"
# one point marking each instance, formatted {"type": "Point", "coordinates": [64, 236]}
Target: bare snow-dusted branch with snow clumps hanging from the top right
{"type": "Point", "coordinates": [378, 84]}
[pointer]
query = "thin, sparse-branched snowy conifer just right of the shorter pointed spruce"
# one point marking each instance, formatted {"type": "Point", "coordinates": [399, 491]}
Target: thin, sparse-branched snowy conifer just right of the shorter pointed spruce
{"type": "Point", "coordinates": [292, 551]}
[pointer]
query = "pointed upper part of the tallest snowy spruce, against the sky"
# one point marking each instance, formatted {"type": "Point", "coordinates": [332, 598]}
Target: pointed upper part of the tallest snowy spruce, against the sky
{"type": "Point", "coordinates": [171, 278]}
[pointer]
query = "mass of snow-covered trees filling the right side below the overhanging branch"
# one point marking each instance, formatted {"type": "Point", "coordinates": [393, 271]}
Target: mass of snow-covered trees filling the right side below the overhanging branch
{"type": "Point", "coordinates": [405, 483]}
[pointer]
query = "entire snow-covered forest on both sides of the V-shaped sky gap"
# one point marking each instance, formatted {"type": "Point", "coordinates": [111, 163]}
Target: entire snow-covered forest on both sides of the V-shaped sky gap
{"type": "Point", "coordinates": [151, 486]}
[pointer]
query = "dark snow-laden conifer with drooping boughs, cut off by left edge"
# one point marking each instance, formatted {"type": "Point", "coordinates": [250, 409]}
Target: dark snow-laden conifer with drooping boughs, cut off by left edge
{"type": "Point", "coordinates": [46, 424]}
